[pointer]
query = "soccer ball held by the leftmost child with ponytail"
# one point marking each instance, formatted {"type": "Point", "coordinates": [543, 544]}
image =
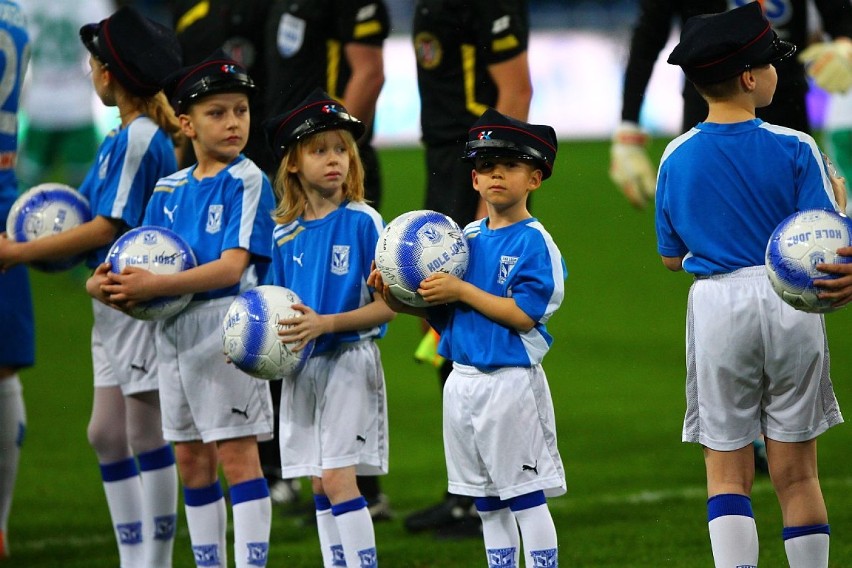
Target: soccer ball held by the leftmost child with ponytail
{"type": "Point", "coordinates": [47, 209]}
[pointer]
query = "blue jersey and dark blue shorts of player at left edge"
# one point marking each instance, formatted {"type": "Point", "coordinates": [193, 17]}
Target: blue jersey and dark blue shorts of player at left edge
{"type": "Point", "coordinates": [18, 346]}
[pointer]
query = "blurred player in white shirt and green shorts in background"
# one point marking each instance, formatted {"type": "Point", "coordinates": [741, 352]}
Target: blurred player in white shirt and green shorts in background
{"type": "Point", "coordinates": [61, 139]}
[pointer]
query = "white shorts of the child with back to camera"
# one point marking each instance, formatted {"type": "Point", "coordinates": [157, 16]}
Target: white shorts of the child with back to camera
{"type": "Point", "coordinates": [754, 365]}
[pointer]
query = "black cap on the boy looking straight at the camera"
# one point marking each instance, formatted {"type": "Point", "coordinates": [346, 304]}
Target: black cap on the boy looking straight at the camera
{"type": "Point", "coordinates": [495, 135]}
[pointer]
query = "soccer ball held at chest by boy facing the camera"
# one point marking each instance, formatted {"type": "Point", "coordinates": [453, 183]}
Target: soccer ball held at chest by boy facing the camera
{"type": "Point", "coordinates": [415, 245]}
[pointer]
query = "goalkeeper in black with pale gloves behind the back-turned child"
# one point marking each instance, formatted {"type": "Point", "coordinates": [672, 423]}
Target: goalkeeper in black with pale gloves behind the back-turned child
{"type": "Point", "coordinates": [630, 166]}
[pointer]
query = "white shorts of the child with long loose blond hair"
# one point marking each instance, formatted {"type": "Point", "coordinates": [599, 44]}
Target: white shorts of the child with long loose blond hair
{"type": "Point", "coordinates": [333, 414]}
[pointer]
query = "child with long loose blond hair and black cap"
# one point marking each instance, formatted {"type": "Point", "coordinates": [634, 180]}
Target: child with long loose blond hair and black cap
{"type": "Point", "coordinates": [334, 413]}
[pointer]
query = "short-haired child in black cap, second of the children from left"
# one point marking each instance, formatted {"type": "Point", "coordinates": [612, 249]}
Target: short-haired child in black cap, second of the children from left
{"type": "Point", "coordinates": [213, 412]}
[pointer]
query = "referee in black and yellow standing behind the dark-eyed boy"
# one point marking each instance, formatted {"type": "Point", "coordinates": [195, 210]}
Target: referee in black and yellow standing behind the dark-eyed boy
{"type": "Point", "coordinates": [471, 55]}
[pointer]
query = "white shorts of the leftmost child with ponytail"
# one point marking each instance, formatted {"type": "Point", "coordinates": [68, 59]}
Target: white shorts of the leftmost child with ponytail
{"type": "Point", "coordinates": [123, 351]}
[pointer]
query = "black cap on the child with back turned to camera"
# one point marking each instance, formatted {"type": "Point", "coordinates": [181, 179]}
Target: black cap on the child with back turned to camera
{"type": "Point", "coordinates": [714, 48]}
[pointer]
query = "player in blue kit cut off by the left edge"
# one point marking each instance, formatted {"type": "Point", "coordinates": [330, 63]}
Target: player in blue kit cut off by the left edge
{"type": "Point", "coordinates": [17, 350]}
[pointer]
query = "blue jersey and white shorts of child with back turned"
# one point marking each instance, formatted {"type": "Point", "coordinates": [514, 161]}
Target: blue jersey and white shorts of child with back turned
{"type": "Point", "coordinates": [720, 217]}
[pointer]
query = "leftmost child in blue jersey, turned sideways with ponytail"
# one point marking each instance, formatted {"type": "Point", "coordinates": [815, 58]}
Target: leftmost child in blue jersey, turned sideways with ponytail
{"type": "Point", "coordinates": [130, 57]}
